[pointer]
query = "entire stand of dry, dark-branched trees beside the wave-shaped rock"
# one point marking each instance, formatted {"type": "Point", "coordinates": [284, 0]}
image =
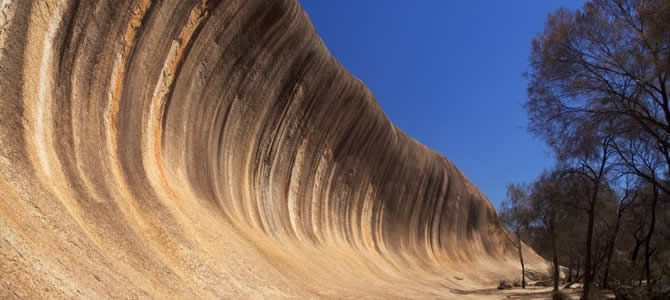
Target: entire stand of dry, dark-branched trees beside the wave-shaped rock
{"type": "Point", "coordinates": [598, 95]}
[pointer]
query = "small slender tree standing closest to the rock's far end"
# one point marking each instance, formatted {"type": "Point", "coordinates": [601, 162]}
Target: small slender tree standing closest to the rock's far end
{"type": "Point", "coordinates": [515, 214]}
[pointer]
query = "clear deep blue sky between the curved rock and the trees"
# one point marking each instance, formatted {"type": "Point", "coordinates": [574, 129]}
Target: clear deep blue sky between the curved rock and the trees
{"type": "Point", "coordinates": [449, 73]}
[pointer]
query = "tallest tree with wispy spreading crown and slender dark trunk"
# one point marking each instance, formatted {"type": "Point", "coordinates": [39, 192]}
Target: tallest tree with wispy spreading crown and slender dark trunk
{"type": "Point", "coordinates": [599, 78]}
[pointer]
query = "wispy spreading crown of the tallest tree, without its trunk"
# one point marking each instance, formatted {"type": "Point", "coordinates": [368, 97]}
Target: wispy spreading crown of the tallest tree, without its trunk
{"type": "Point", "coordinates": [609, 63]}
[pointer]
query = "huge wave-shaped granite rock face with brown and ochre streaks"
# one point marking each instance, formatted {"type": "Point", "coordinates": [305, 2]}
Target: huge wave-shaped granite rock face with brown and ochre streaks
{"type": "Point", "coordinates": [215, 149]}
